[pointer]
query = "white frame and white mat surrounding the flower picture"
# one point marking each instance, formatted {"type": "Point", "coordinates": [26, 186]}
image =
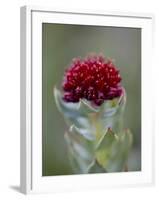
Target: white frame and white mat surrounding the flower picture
{"type": "Point", "coordinates": [31, 91]}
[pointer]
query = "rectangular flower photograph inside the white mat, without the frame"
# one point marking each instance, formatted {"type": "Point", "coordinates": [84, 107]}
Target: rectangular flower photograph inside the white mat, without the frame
{"type": "Point", "coordinates": [91, 99]}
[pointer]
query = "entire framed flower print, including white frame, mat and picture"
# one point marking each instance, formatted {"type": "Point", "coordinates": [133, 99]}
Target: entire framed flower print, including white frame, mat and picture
{"type": "Point", "coordinates": [86, 112]}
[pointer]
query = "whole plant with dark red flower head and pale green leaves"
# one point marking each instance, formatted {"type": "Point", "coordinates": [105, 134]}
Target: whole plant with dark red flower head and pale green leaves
{"type": "Point", "coordinates": [92, 103]}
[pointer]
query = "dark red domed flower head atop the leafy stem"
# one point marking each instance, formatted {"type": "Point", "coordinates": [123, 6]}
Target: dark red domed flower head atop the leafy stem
{"type": "Point", "coordinates": [93, 78]}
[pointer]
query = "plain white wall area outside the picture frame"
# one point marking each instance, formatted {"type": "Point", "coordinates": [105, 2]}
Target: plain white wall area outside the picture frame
{"type": "Point", "coordinates": [9, 101]}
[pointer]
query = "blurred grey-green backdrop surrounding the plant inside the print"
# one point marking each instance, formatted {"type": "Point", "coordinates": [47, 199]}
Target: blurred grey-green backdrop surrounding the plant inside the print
{"type": "Point", "coordinates": [60, 44]}
